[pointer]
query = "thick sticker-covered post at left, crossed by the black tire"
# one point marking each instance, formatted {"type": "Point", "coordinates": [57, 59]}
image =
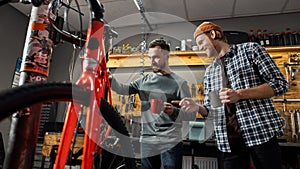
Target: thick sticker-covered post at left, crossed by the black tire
{"type": "Point", "coordinates": [35, 66]}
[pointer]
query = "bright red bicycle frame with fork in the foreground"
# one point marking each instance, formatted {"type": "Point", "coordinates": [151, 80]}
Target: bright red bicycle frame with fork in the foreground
{"type": "Point", "coordinates": [95, 79]}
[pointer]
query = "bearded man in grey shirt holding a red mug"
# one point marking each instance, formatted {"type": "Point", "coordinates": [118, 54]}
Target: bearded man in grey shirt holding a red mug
{"type": "Point", "coordinates": [161, 132]}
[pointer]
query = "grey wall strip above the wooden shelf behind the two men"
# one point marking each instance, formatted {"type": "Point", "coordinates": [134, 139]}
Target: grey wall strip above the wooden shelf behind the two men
{"type": "Point", "coordinates": [184, 30]}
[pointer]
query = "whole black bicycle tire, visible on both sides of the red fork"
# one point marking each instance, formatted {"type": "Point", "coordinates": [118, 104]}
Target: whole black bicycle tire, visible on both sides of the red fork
{"type": "Point", "coordinates": [17, 98]}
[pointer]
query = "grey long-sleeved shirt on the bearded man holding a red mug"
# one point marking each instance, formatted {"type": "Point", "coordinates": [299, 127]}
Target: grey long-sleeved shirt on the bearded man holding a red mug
{"type": "Point", "coordinates": [158, 128]}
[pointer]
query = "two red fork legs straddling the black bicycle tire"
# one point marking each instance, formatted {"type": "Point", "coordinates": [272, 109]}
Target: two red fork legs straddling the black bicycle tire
{"type": "Point", "coordinates": [92, 133]}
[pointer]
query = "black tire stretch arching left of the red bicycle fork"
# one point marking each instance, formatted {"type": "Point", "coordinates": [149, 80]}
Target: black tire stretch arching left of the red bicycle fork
{"type": "Point", "coordinates": [14, 99]}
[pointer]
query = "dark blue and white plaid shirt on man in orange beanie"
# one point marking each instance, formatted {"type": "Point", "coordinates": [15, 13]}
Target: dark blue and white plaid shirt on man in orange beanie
{"type": "Point", "coordinates": [247, 65]}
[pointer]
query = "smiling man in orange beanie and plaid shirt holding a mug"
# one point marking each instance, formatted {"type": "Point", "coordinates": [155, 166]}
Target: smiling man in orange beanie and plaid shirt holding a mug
{"type": "Point", "coordinates": [245, 78]}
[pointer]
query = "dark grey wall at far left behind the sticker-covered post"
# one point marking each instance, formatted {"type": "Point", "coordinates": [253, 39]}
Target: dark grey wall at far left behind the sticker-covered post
{"type": "Point", "coordinates": [12, 32]}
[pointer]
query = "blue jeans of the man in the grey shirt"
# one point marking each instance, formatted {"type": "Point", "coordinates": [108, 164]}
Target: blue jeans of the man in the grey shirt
{"type": "Point", "coordinates": [169, 159]}
